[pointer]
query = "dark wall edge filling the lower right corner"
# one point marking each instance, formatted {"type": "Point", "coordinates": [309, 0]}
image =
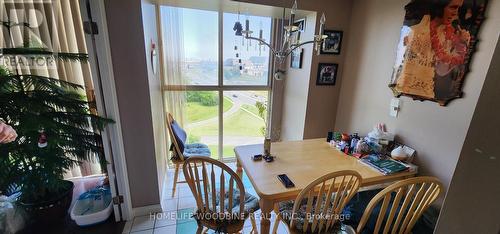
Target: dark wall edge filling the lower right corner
{"type": "Point", "coordinates": [472, 204]}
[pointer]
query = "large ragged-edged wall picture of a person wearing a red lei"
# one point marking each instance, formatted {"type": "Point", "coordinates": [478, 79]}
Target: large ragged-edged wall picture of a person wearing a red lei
{"type": "Point", "coordinates": [435, 49]}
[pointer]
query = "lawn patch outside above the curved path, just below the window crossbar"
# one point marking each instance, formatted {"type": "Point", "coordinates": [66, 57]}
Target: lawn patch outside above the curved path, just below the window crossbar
{"type": "Point", "coordinates": [196, 112]}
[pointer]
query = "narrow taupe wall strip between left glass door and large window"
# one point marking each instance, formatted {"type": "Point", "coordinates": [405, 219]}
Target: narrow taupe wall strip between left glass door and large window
{"type": "Point", "coordinates": [126, 37]}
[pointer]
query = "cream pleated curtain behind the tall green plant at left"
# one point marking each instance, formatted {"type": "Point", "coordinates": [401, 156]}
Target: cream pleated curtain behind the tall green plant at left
{"type": "Point", "coordinates": [57, 26]}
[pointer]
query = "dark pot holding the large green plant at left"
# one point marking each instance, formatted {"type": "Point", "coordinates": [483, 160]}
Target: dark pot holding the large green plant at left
{"type": "Point", "coordinates": [50, 211]}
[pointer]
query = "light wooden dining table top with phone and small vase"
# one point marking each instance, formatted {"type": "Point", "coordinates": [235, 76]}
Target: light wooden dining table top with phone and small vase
{"type": "Point", "coordinates": [303, 162]}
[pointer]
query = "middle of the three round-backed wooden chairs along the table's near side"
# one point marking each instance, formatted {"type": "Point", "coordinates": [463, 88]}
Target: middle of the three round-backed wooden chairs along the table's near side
{"type": "Point", "coordinates": [318, 207]}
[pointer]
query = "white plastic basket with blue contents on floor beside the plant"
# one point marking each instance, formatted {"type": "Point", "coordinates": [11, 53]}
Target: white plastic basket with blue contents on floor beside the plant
{"type": "Point", "coordinates": [92, 207]}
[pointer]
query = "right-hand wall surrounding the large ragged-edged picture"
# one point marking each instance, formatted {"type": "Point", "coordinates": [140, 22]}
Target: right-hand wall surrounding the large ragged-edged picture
{"type": "Point", "coordinates": [437, 133]}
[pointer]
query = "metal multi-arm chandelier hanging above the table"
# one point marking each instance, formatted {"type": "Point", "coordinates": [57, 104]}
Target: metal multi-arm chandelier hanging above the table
{"type": "Point", "coordinates": [288, 44]}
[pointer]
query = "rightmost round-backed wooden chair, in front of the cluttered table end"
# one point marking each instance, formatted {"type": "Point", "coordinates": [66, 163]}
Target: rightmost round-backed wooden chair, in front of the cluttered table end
{"type": "Point", "coordinates": [416, 195]}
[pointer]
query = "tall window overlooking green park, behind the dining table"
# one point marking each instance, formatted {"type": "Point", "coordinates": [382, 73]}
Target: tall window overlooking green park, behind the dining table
{"type": "Point", "coordinates": [218, 81]}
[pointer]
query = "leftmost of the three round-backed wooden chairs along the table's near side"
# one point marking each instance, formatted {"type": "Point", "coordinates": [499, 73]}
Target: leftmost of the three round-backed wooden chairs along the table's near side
{"type": "Point", "coordinates": [222, 204]}
